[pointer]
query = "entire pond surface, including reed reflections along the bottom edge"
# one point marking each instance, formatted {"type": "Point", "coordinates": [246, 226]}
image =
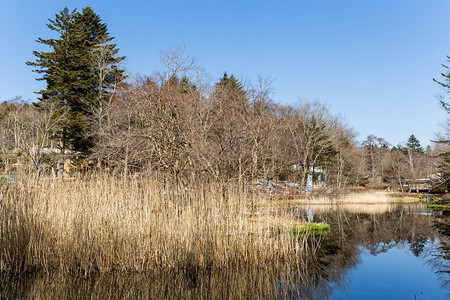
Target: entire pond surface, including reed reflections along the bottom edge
{"type": "Point", "coordinates": [395, 251]}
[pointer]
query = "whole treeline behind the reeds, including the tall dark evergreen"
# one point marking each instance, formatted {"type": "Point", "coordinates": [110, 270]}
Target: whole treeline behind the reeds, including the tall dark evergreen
{"type": "Point", "coordinates": [177, 123]}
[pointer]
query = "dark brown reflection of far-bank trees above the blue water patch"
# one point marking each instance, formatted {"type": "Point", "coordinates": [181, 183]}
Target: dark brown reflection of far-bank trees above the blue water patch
{"type": "Point", "coordinates": [404, 225]}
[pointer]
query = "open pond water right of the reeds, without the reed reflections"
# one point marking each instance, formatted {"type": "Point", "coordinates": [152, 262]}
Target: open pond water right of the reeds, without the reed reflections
{"type": "Point", "coordinates": [395, 251]}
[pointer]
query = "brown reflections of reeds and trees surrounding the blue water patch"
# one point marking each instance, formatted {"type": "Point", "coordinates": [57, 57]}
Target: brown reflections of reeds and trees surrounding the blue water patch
{"type": "Point", "coordinates": [355, 230]}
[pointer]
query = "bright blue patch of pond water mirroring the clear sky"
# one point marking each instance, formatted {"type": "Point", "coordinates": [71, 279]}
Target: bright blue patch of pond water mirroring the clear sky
{"type": "Point", "coordinates": [396, 274]}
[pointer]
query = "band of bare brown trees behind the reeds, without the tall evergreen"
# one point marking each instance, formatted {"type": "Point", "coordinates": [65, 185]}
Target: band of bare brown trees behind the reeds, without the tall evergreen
{"type": "Point", "coordinates": [170, 127]}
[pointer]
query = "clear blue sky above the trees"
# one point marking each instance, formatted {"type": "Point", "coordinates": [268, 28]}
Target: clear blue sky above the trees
{"type": "Point", "coordinates": [371, 61]}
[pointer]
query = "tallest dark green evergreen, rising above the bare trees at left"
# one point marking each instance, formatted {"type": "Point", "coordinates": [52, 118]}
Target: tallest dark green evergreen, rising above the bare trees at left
{"type": "Point", "coordinates": [77, 76]}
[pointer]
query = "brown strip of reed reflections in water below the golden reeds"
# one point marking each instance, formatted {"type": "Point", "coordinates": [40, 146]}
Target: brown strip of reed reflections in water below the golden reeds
{"type": "Point", "coordinates": [277, 282]}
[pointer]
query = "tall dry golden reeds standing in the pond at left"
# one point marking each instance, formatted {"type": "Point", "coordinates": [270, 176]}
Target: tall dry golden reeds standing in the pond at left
{"type": "Point", "coordinates": [104, 224]}
